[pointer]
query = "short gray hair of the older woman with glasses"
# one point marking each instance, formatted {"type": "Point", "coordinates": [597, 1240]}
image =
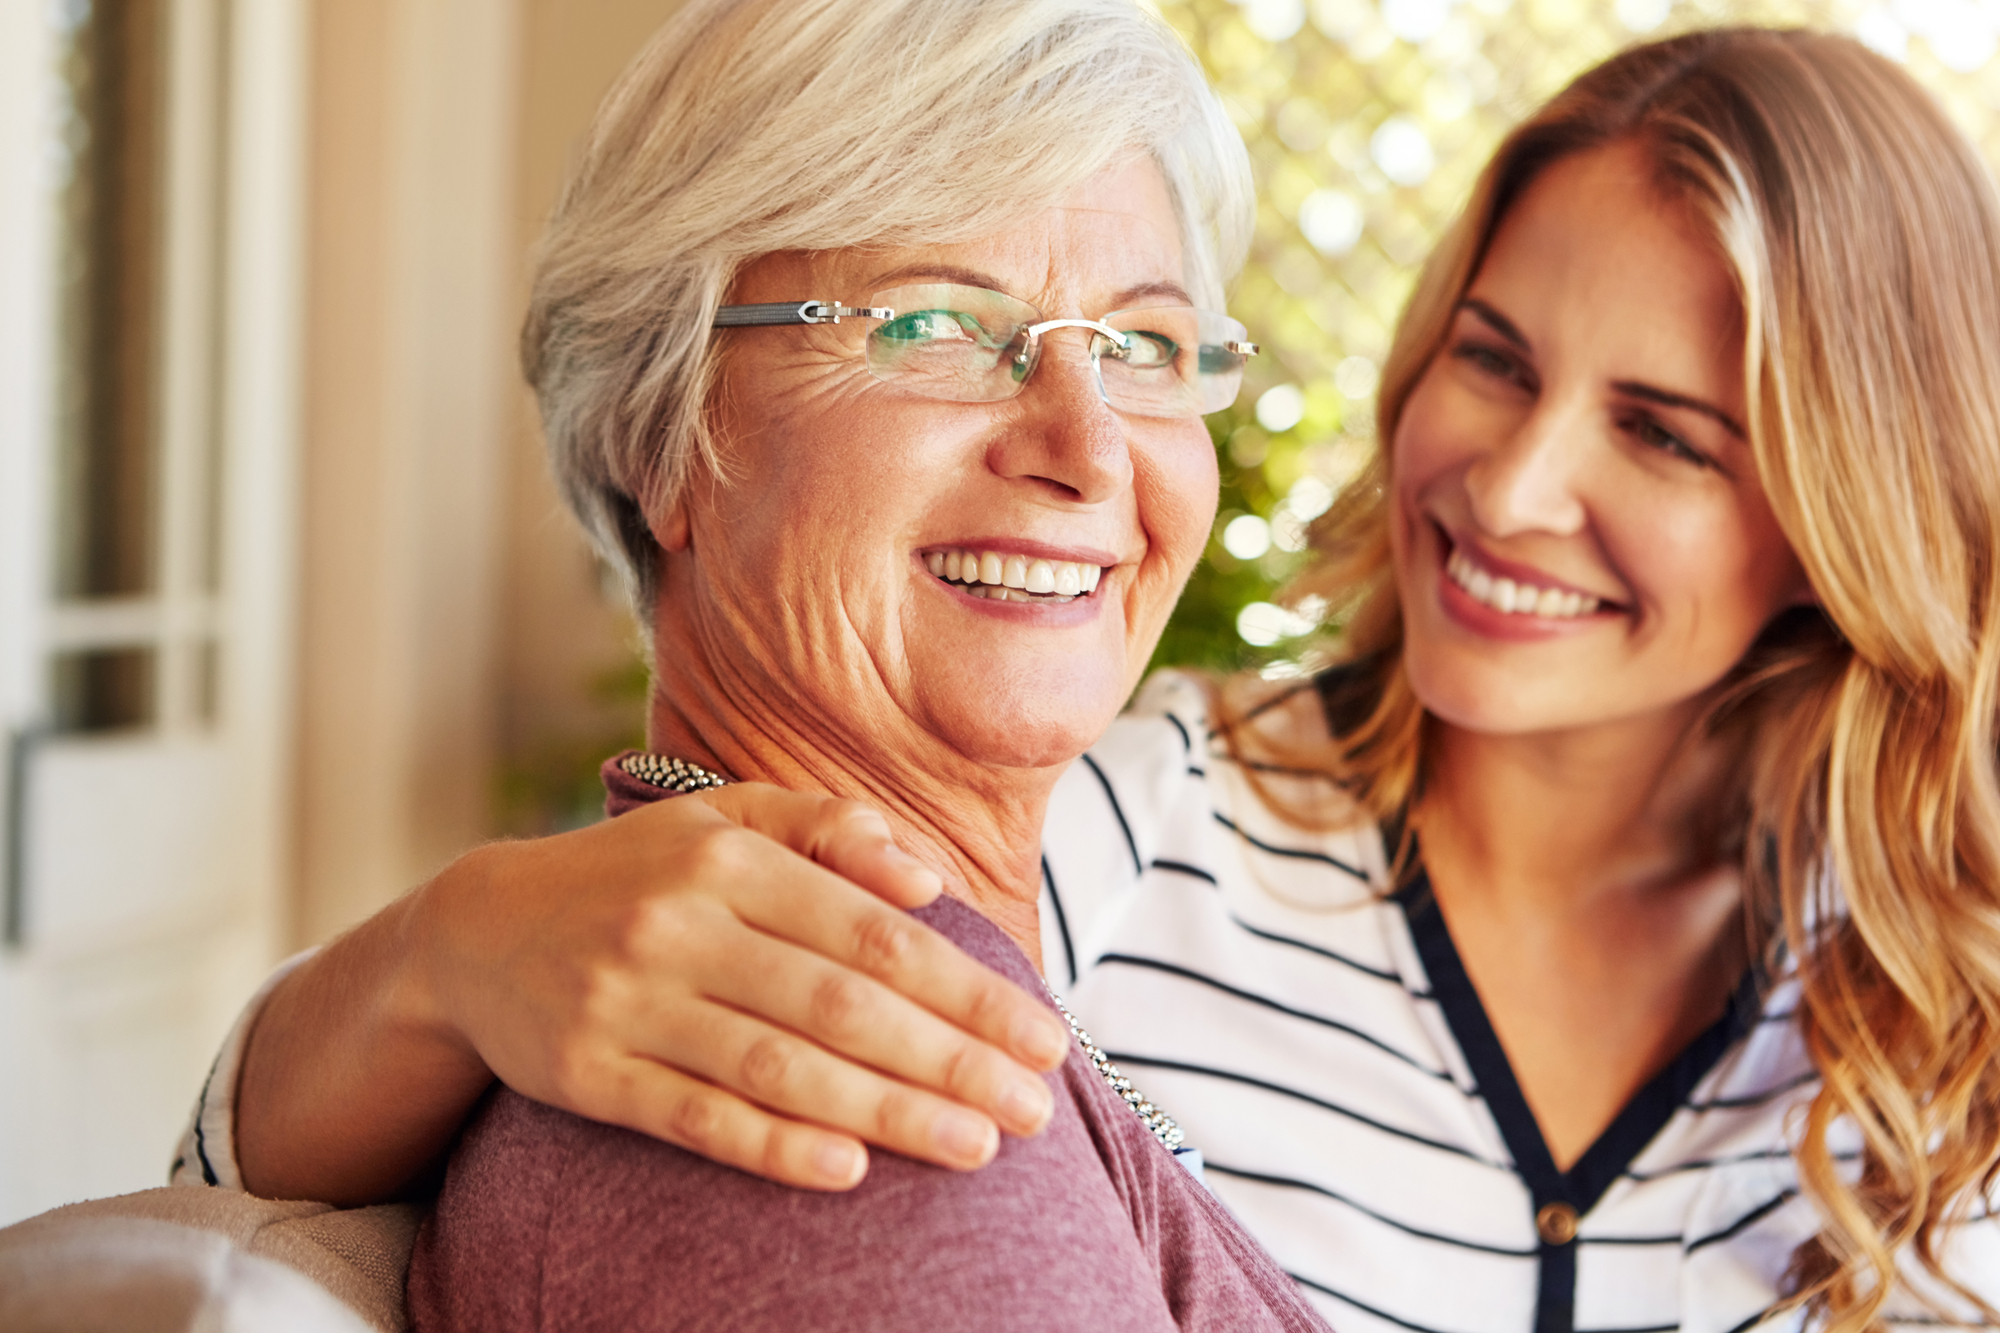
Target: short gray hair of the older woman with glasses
{"type": "Point", "coordinates": [751, 127]}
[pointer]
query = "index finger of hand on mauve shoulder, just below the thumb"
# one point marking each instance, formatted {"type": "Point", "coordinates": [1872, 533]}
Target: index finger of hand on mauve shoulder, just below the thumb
{"type": "Point", "coordinates": [911, 960]}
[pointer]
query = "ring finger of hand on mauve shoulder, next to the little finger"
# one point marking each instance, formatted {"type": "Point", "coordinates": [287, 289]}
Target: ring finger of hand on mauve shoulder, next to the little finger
{"type": "Point", "coordinates": [797, 1080]}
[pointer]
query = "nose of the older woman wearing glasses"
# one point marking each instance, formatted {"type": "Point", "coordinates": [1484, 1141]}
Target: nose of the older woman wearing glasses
{"type": "Point", "coordinates": [1063, 433]}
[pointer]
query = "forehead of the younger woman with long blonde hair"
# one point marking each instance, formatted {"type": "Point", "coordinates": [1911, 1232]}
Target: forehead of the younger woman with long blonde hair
{"type": "Point", "coordinates": [1607, 263]}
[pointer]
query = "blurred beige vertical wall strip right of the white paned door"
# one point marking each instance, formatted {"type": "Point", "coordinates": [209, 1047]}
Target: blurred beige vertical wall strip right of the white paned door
{"type": "Point", "coordinates": [409, 407]}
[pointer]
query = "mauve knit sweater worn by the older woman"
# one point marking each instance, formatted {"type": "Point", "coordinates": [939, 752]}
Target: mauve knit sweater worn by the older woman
{"type": "Point", "coordinates": [553, 1222]}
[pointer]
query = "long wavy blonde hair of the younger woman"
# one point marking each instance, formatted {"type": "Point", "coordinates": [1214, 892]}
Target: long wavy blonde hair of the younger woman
{"type": "Point", "coordinates": [1863, 233]}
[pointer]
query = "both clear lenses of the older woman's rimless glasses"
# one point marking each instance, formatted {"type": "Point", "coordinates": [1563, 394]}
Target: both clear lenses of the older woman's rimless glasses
{"type": "Point", "coordinates": [971, 345]}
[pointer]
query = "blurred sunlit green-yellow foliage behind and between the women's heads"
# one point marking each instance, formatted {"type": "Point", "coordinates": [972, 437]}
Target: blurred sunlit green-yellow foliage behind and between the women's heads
{"type": "Point", "coordinates": [1367, 125]}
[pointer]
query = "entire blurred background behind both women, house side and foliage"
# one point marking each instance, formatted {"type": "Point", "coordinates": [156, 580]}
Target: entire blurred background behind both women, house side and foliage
{"type": "Point", "coordinates": [289, 611]}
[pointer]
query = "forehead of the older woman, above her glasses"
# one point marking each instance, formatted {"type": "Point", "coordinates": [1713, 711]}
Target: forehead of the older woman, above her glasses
{"type": "Point", "coordinates": [1117, 233]}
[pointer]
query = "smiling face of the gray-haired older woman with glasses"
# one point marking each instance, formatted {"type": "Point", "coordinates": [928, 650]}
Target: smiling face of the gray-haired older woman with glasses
{"type": "Point", "coordinates": [981, 581]}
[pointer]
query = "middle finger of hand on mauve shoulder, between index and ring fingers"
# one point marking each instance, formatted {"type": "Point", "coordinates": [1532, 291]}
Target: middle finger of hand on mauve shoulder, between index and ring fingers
{"type": "Point", "coordinates": [857, 1018]}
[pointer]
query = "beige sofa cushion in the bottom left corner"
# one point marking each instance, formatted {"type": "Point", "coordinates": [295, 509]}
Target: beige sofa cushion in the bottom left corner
{"type": "Point", "coordinates": [193, 1258]}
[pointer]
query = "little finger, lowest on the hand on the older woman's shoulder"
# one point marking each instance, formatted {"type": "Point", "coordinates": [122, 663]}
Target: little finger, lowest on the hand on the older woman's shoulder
{"type": "Point", "coordinates": [719, 1126]}
